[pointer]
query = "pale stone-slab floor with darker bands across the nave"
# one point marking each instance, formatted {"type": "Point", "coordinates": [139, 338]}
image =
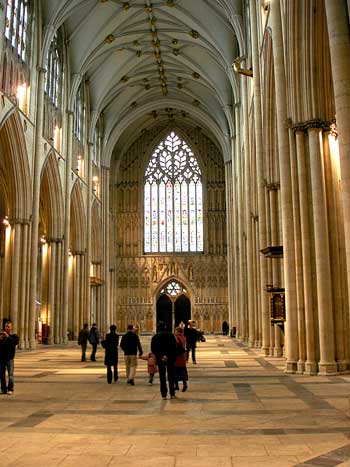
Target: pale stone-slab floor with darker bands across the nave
{"type": "Point", "coordinates": [240, 410]}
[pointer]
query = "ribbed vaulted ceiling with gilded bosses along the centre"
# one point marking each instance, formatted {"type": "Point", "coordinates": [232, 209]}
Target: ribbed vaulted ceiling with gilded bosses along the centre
{"type": "Point", "coordinates": [148, 62]}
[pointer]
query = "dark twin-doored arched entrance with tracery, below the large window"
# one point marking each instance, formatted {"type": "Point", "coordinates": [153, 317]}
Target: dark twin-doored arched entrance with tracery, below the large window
{"type": "Point", "coordinates": [173, 305]}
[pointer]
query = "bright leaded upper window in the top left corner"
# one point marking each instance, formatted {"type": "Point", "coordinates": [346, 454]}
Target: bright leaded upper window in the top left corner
{"type": "Point", "coordinates": [16, 25]}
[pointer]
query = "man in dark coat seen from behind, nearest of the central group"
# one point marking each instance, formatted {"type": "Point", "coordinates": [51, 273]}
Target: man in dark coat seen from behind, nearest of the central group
{"type": "Point", "coordinates": [163, 345]}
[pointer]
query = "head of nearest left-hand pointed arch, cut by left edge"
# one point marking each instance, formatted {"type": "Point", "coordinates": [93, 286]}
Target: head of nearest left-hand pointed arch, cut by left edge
{"type": "Point", "coordinates": [15, 177]}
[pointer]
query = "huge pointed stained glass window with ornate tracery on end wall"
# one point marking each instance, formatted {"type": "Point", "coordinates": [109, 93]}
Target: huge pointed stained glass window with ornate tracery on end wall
{"type": "Point", "coordinates": [173, 201]}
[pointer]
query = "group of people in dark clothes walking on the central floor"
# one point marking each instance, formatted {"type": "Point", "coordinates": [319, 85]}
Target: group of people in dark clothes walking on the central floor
{"type": "Point", "coordinates": [168, 355]}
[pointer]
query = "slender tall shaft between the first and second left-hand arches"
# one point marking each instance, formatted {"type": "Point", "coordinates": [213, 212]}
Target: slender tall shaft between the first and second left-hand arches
{"type": "Point", "coordinates": [36, 201]}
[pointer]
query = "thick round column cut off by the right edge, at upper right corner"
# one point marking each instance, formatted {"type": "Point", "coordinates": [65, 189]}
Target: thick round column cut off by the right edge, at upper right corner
{"type": "Point", "coordinates": [339, 42]}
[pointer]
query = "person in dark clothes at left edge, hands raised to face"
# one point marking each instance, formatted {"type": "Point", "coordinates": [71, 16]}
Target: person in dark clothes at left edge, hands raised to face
{"type": "Point", "coordinates": [8, 343]}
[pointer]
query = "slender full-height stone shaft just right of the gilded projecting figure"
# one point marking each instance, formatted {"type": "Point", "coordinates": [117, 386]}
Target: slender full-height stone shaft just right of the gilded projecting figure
{"type": "Point", "coordinates": [259, 157]}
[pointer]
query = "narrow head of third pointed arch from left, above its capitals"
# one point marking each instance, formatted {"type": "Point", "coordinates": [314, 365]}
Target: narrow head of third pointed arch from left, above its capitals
{"type": "Point", "coordinates": [77, 238]}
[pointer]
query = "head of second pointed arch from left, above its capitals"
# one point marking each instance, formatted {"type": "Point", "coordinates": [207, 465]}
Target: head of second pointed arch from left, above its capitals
{"type": "Point", "coordinates": [51, 199]}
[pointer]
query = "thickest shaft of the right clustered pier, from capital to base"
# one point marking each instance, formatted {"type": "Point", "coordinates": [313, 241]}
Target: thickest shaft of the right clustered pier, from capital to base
{"type": "Point", "coordinates": [323, 271]}
